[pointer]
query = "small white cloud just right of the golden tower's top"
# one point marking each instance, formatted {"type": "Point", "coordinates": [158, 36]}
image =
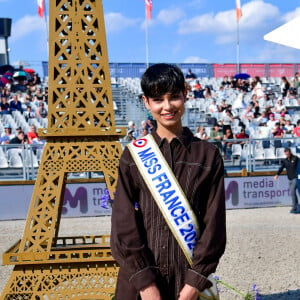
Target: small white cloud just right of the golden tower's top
{"type": "Point", "coordinates": [115, 22]}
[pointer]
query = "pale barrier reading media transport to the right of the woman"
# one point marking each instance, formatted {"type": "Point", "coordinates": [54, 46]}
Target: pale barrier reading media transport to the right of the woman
{"type": "Point", "coordinates": [260, 191]}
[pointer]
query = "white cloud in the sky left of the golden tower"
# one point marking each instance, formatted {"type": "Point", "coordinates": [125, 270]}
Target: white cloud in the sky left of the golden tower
{"type": "Point", "coordinates": [26, 25]}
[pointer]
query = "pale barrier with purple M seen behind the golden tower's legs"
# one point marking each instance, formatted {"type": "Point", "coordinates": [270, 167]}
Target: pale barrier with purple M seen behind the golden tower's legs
{"type": "Point", "coordinates": [80, 200]}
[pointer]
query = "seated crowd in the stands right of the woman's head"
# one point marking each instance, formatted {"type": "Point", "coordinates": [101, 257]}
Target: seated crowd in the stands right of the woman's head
{"type": "Point", "coordinates": [240, 108]}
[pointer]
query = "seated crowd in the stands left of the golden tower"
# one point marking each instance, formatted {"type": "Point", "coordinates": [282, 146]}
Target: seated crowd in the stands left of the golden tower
{"type": "Point", "coordinates": [23, 100]}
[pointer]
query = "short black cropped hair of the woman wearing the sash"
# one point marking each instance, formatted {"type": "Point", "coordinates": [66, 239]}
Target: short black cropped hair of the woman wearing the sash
{"type": "Point", "coordinates": [162, 78]}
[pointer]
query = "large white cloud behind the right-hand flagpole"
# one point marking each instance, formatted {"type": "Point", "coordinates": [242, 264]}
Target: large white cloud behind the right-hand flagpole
{"type": "Point", "coordinates": [255, 14]}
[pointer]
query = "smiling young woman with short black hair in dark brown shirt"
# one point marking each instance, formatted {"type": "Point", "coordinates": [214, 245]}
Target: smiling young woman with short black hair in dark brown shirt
{"type": "Point", "coordinates": [152, 264]}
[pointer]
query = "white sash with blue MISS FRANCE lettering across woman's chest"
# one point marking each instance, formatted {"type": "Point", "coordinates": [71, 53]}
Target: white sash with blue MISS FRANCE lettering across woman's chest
{"type": "Point", "coordinates": [170, 199]}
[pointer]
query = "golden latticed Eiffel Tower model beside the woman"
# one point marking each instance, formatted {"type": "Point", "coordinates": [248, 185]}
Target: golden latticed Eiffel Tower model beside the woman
{"type": "Point", "coordinates": [81, 137]}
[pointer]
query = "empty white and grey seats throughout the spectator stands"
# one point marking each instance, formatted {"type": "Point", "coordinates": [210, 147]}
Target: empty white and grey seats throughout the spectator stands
{"type": "Point", "coordinates": [128, 105]}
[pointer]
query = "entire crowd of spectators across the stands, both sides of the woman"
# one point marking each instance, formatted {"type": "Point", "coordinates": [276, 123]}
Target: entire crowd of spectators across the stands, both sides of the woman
{"type": "Point", "coordinates": [235, 109]}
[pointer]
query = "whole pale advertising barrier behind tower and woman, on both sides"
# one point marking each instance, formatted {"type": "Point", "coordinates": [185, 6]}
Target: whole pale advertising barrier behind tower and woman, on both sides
{"type": "Point", "coordinates": [85, 199]}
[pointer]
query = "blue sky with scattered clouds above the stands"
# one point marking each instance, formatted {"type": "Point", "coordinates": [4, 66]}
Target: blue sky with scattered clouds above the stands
{"type": "Point", "coordinates": [180, 31]}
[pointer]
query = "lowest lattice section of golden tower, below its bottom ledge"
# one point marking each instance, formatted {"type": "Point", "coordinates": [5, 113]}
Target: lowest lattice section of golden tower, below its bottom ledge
{"type": "Point", "coordinates": [79, 281]}
